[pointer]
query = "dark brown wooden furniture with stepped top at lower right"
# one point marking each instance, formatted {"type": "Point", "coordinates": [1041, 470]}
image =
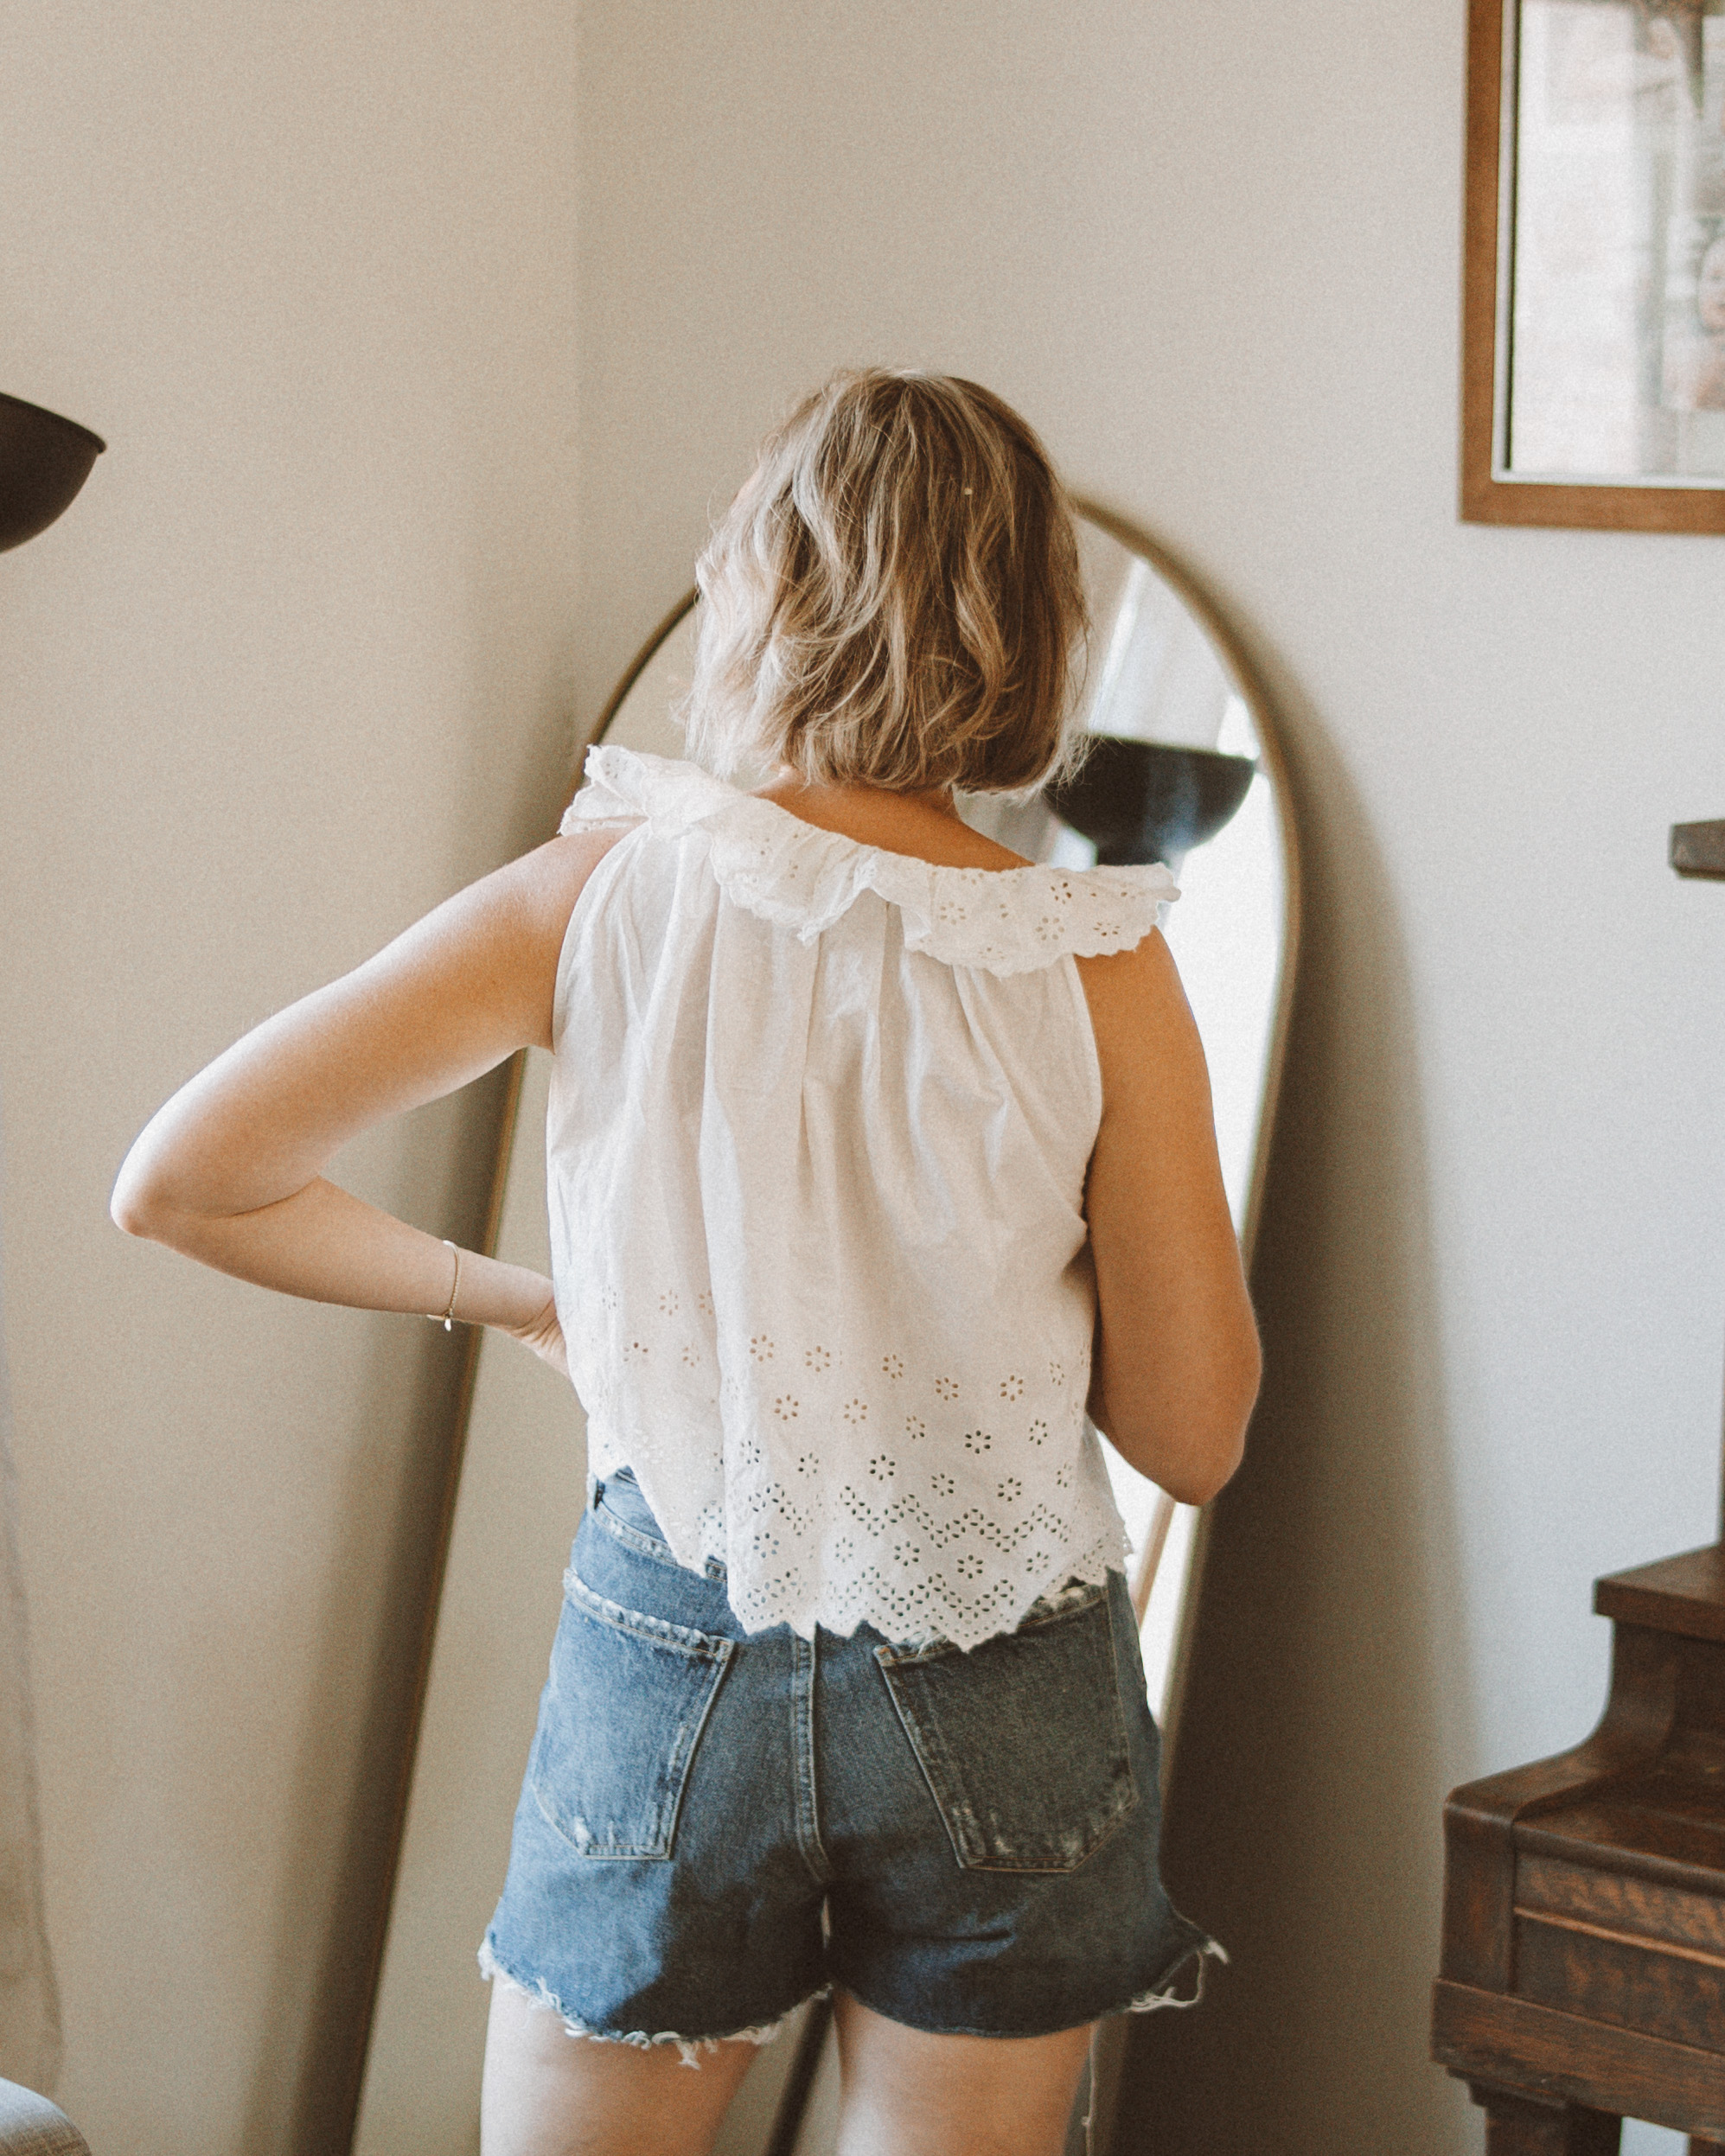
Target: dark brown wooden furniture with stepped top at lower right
{"type": "Point", "coordinates": [1584, 1939]}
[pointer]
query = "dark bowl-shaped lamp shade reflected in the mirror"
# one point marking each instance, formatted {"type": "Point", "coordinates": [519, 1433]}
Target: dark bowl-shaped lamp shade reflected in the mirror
{"type": "Point", "coordinates": [1146, 801]}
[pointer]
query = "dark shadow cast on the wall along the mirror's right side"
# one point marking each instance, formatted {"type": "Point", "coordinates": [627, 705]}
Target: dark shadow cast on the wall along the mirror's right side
{"type": "Point", "coordinates": [1329, 1666]}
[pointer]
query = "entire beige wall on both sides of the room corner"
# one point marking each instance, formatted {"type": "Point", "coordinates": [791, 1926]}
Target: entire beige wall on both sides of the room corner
{"type": "Point", "coordinates": [296, 665]}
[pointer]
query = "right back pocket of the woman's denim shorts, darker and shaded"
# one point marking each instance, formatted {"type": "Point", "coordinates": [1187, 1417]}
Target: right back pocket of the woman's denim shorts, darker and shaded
{"type": "Point", "coordinates": [1023, 1739]}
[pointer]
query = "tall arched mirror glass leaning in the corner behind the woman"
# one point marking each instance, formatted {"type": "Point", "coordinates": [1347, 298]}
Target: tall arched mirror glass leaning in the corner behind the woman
{"type": "Point", "coordinates": [1187, 773]}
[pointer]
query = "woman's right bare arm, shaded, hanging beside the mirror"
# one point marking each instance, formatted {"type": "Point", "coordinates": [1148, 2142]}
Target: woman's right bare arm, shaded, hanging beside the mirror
{"type": "Point", "coordinates": [1176, 1349]}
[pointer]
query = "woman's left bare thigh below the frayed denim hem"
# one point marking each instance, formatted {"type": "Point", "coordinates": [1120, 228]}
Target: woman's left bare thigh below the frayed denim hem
{"type": "Point", "coordinates": [555, 2095]}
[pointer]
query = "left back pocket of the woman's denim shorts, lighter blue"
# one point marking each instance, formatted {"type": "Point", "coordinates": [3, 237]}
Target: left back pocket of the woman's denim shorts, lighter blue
{"type": "Point", "coordinates": [624, 1711]}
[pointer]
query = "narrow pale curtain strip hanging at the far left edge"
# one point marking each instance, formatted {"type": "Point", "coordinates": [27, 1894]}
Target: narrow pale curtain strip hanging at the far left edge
{"type": "Point", "coordinates": [29, 2002]}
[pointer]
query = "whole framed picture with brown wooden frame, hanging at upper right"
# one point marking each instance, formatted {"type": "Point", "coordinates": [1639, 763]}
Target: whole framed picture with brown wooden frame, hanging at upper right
{"type": "Point", "coordinates": [1595, 301]}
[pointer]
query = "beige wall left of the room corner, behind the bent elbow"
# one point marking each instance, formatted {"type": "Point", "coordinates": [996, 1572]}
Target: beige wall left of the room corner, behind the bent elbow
{"type": "Point", "coordinates": [290, 672]}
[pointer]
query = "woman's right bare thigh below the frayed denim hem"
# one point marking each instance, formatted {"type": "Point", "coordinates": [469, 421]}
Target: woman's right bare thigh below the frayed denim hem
{"type": "Point", "coordinates": [913, 2095]}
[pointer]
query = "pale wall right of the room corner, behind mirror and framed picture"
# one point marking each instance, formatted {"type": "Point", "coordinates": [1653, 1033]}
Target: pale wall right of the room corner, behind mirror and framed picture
{"type": "Point", "coordinates": [1213, 251]}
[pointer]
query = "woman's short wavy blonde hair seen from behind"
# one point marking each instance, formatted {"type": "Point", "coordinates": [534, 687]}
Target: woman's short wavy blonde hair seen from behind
{"type": "Point", "coordinates": [894, 598]}
